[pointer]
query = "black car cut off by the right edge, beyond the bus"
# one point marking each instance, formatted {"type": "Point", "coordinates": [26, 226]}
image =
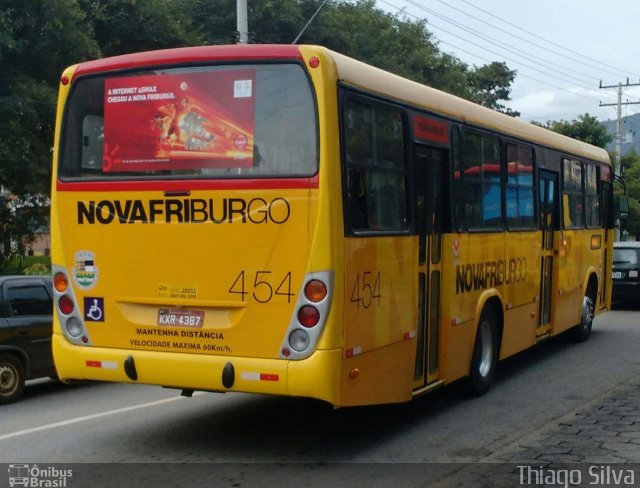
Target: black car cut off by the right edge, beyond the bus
{"type": "Point", "coordinates": [626, 271]}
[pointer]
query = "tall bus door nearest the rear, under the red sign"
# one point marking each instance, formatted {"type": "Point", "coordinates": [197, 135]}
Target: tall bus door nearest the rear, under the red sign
{"type": "Point", "coordinates": [430, 164]}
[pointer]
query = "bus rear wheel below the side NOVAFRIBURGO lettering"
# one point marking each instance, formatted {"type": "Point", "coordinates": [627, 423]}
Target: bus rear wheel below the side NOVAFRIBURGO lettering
{"type": "Point", "coordinates": [484, 361]}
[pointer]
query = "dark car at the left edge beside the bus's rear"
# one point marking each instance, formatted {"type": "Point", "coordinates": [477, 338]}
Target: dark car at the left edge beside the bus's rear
{"type": "Point", "coordinates": [26, 319]}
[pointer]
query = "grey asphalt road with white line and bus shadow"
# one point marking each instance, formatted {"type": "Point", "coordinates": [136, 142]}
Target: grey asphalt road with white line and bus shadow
{"type": "Point", "coordinates": [260, 438]}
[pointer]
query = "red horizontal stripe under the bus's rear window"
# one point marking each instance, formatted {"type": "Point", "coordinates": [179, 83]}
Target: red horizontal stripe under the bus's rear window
{"type": "Point", "coordinates": [187, 185]}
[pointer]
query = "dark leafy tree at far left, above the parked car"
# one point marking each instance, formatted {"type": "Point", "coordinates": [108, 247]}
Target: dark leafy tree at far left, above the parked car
{"type": "Point", "coordinates": [37, 40]}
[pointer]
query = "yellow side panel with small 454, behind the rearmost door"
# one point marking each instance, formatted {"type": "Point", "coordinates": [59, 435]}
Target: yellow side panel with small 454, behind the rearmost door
{"type": "Point", "coordinates": [380, 314]}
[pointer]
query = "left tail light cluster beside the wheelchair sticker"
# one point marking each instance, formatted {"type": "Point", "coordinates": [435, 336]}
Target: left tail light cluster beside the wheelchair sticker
{"type": "Point", "coordinates": [67, 309]}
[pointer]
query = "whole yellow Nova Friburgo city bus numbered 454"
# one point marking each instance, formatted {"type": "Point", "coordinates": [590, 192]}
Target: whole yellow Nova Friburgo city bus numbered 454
{"type": "Point", "coordinates": [286, 220]}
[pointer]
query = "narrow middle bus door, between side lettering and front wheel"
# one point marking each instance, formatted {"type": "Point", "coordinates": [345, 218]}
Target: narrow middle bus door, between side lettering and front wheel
{"type": "Point", "coordinates": [549, 215]}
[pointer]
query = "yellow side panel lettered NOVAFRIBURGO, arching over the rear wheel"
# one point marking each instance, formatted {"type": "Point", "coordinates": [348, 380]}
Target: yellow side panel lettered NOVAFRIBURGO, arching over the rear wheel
{"type": "Point", "coordinates": [473, 265]}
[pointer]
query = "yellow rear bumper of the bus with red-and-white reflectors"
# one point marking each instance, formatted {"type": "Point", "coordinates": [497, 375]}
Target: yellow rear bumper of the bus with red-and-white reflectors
{"type": "Point", "coordinates": [315, 377]}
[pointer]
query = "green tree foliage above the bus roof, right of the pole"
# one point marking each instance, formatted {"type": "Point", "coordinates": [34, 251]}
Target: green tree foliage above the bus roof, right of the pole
{"type": "Point", "coordinates": [391, 42]}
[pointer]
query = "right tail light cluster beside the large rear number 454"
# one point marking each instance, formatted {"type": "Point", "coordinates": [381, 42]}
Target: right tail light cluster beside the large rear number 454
{"type": "Point", "coordinates": [309, 316]}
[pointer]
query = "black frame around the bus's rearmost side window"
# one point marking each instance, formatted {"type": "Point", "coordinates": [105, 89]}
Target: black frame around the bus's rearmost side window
{"type": "Point", "coordinates": [345, 95]}
